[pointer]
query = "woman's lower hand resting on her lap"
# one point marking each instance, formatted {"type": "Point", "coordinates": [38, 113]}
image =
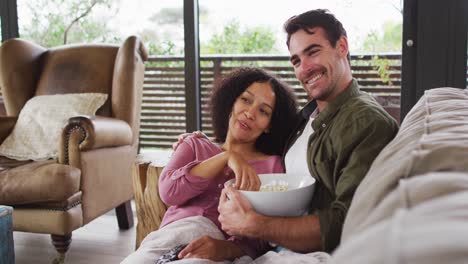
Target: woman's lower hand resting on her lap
{"type": "Point", "coordinates": [209, 248]}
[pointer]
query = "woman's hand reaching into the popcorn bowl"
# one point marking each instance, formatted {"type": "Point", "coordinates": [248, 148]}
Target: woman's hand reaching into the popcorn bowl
{"type": "Point", "coordinates": [246, 176]}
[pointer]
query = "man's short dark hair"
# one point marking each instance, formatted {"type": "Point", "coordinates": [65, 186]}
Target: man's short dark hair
{"type": "Point", "coordinates": [316, 18]}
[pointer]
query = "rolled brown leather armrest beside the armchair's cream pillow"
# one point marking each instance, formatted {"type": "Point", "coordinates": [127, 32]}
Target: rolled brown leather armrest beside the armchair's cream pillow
{"type": "Point", "coordinates": [83, 133]}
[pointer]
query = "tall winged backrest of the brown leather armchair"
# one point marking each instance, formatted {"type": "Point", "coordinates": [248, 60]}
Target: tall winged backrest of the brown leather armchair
{"type": "Point", "coordinates": [29, 70]}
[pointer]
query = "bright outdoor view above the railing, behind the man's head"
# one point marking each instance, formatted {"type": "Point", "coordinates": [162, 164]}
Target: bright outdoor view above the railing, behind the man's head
{"type": "Point", "coordinates": [233, 24]}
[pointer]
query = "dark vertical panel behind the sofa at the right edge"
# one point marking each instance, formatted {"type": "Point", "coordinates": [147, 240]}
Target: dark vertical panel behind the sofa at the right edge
{"type": "Point", "coordinates": [434, 50]}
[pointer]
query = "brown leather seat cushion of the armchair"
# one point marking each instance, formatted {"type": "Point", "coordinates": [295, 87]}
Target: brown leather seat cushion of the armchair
{"type": "Point", "coordinates": [35, 182]}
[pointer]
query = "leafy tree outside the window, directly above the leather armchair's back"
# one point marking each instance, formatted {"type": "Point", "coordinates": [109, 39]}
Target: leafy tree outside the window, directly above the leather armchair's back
{"type": "Point", "coordinates": [57, 22]}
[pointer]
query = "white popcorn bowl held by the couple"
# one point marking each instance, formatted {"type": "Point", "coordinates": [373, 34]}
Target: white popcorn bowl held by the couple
{"type": "Point", "coordinates": [293, 202]}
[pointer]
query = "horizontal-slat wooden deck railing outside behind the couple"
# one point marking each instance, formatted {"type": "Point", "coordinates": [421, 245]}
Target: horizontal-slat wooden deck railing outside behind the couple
{"type": "Point", "coordinates": [163, 108]}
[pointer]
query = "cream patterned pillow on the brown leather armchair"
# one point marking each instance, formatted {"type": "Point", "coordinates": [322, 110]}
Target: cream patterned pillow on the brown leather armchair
{"type": "Point", "coordinates": [37, 132]}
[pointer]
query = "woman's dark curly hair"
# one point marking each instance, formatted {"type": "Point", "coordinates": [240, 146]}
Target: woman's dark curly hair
{"type": "Point", "coordinates": [229, 87]}
